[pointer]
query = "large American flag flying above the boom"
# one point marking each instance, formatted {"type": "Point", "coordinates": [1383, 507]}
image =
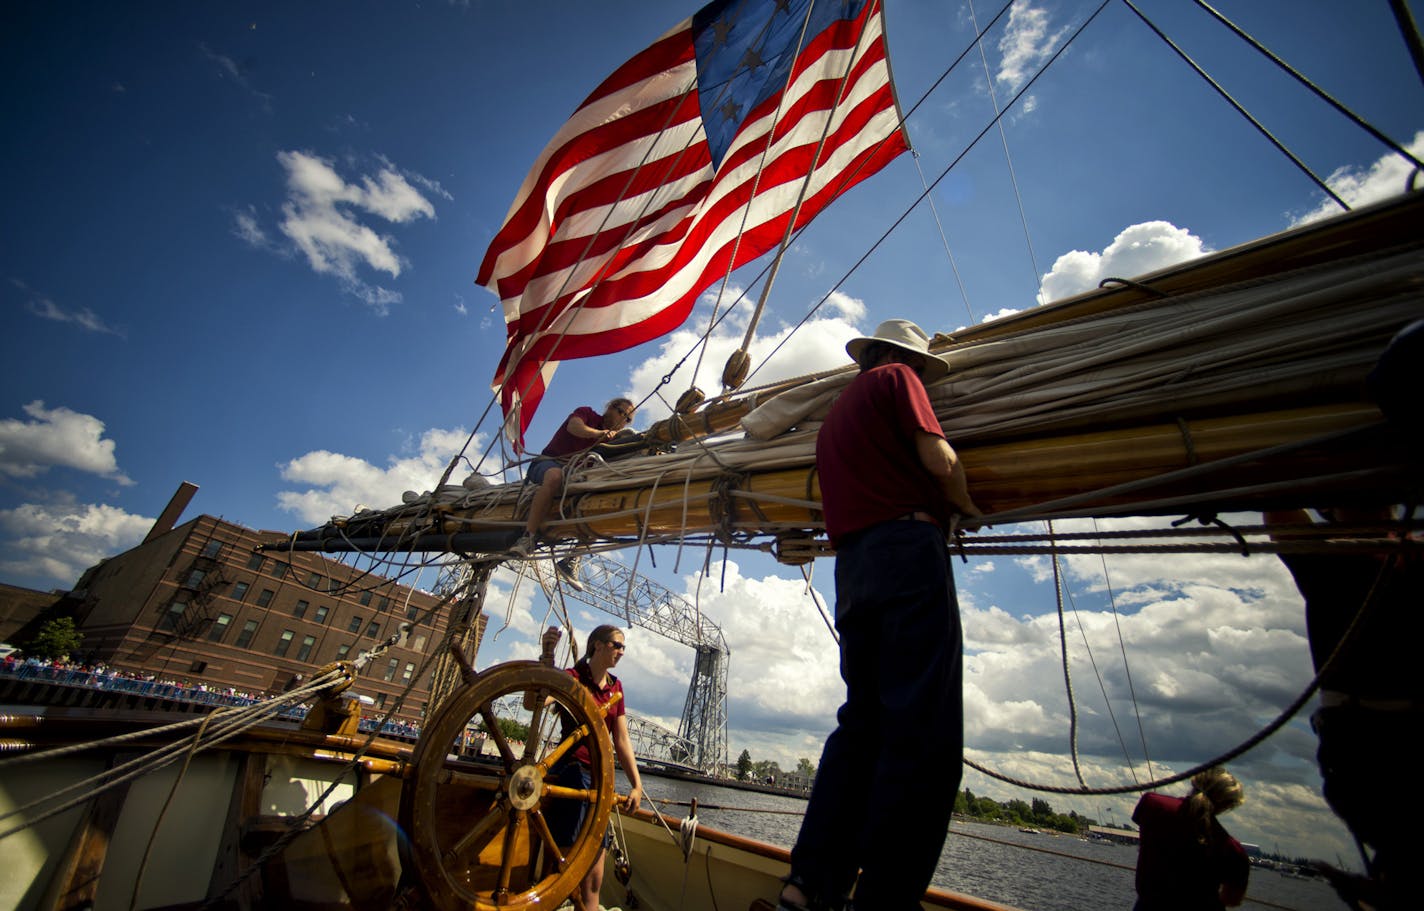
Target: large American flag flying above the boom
{"type": "Point", "coordinates": [681, 166]}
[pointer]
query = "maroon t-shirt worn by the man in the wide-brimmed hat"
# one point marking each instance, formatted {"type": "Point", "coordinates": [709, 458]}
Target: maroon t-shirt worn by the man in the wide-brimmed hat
{"type": "Point", "coordinates": [869, 466]}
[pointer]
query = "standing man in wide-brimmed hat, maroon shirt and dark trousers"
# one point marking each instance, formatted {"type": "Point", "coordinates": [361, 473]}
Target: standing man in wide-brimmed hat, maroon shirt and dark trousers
{"type": "Point", "coordinates": [891, 489]}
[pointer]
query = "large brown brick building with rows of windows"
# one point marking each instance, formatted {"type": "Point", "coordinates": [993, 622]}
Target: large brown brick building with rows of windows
{"type": "Point", "coordinates": [199, 604]}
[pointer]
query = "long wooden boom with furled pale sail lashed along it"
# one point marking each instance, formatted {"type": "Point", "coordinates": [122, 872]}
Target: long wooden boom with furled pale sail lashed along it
{"type": "Point", "coordinates": [1111, 404]}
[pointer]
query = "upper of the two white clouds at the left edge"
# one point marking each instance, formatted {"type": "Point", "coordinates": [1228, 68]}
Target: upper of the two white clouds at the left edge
{"type": "Point", "coordinates": [58, 438]}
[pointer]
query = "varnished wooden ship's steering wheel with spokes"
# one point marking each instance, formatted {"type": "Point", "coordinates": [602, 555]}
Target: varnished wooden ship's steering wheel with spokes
{"type": "Point", "coordinates": [478, 828]}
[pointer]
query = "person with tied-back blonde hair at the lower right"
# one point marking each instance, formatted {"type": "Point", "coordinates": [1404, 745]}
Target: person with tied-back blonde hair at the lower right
{"type": "Point", "coordinates": [1187, 860]}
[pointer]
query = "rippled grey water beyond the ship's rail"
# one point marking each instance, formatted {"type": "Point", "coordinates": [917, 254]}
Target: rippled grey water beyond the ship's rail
{"type": "Point", "coordinates": [1026, 873]}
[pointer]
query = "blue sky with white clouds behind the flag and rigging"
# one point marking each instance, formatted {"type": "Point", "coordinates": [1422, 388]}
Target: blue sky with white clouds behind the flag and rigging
{"type": "Point", "coordinates": [241, 240]}
